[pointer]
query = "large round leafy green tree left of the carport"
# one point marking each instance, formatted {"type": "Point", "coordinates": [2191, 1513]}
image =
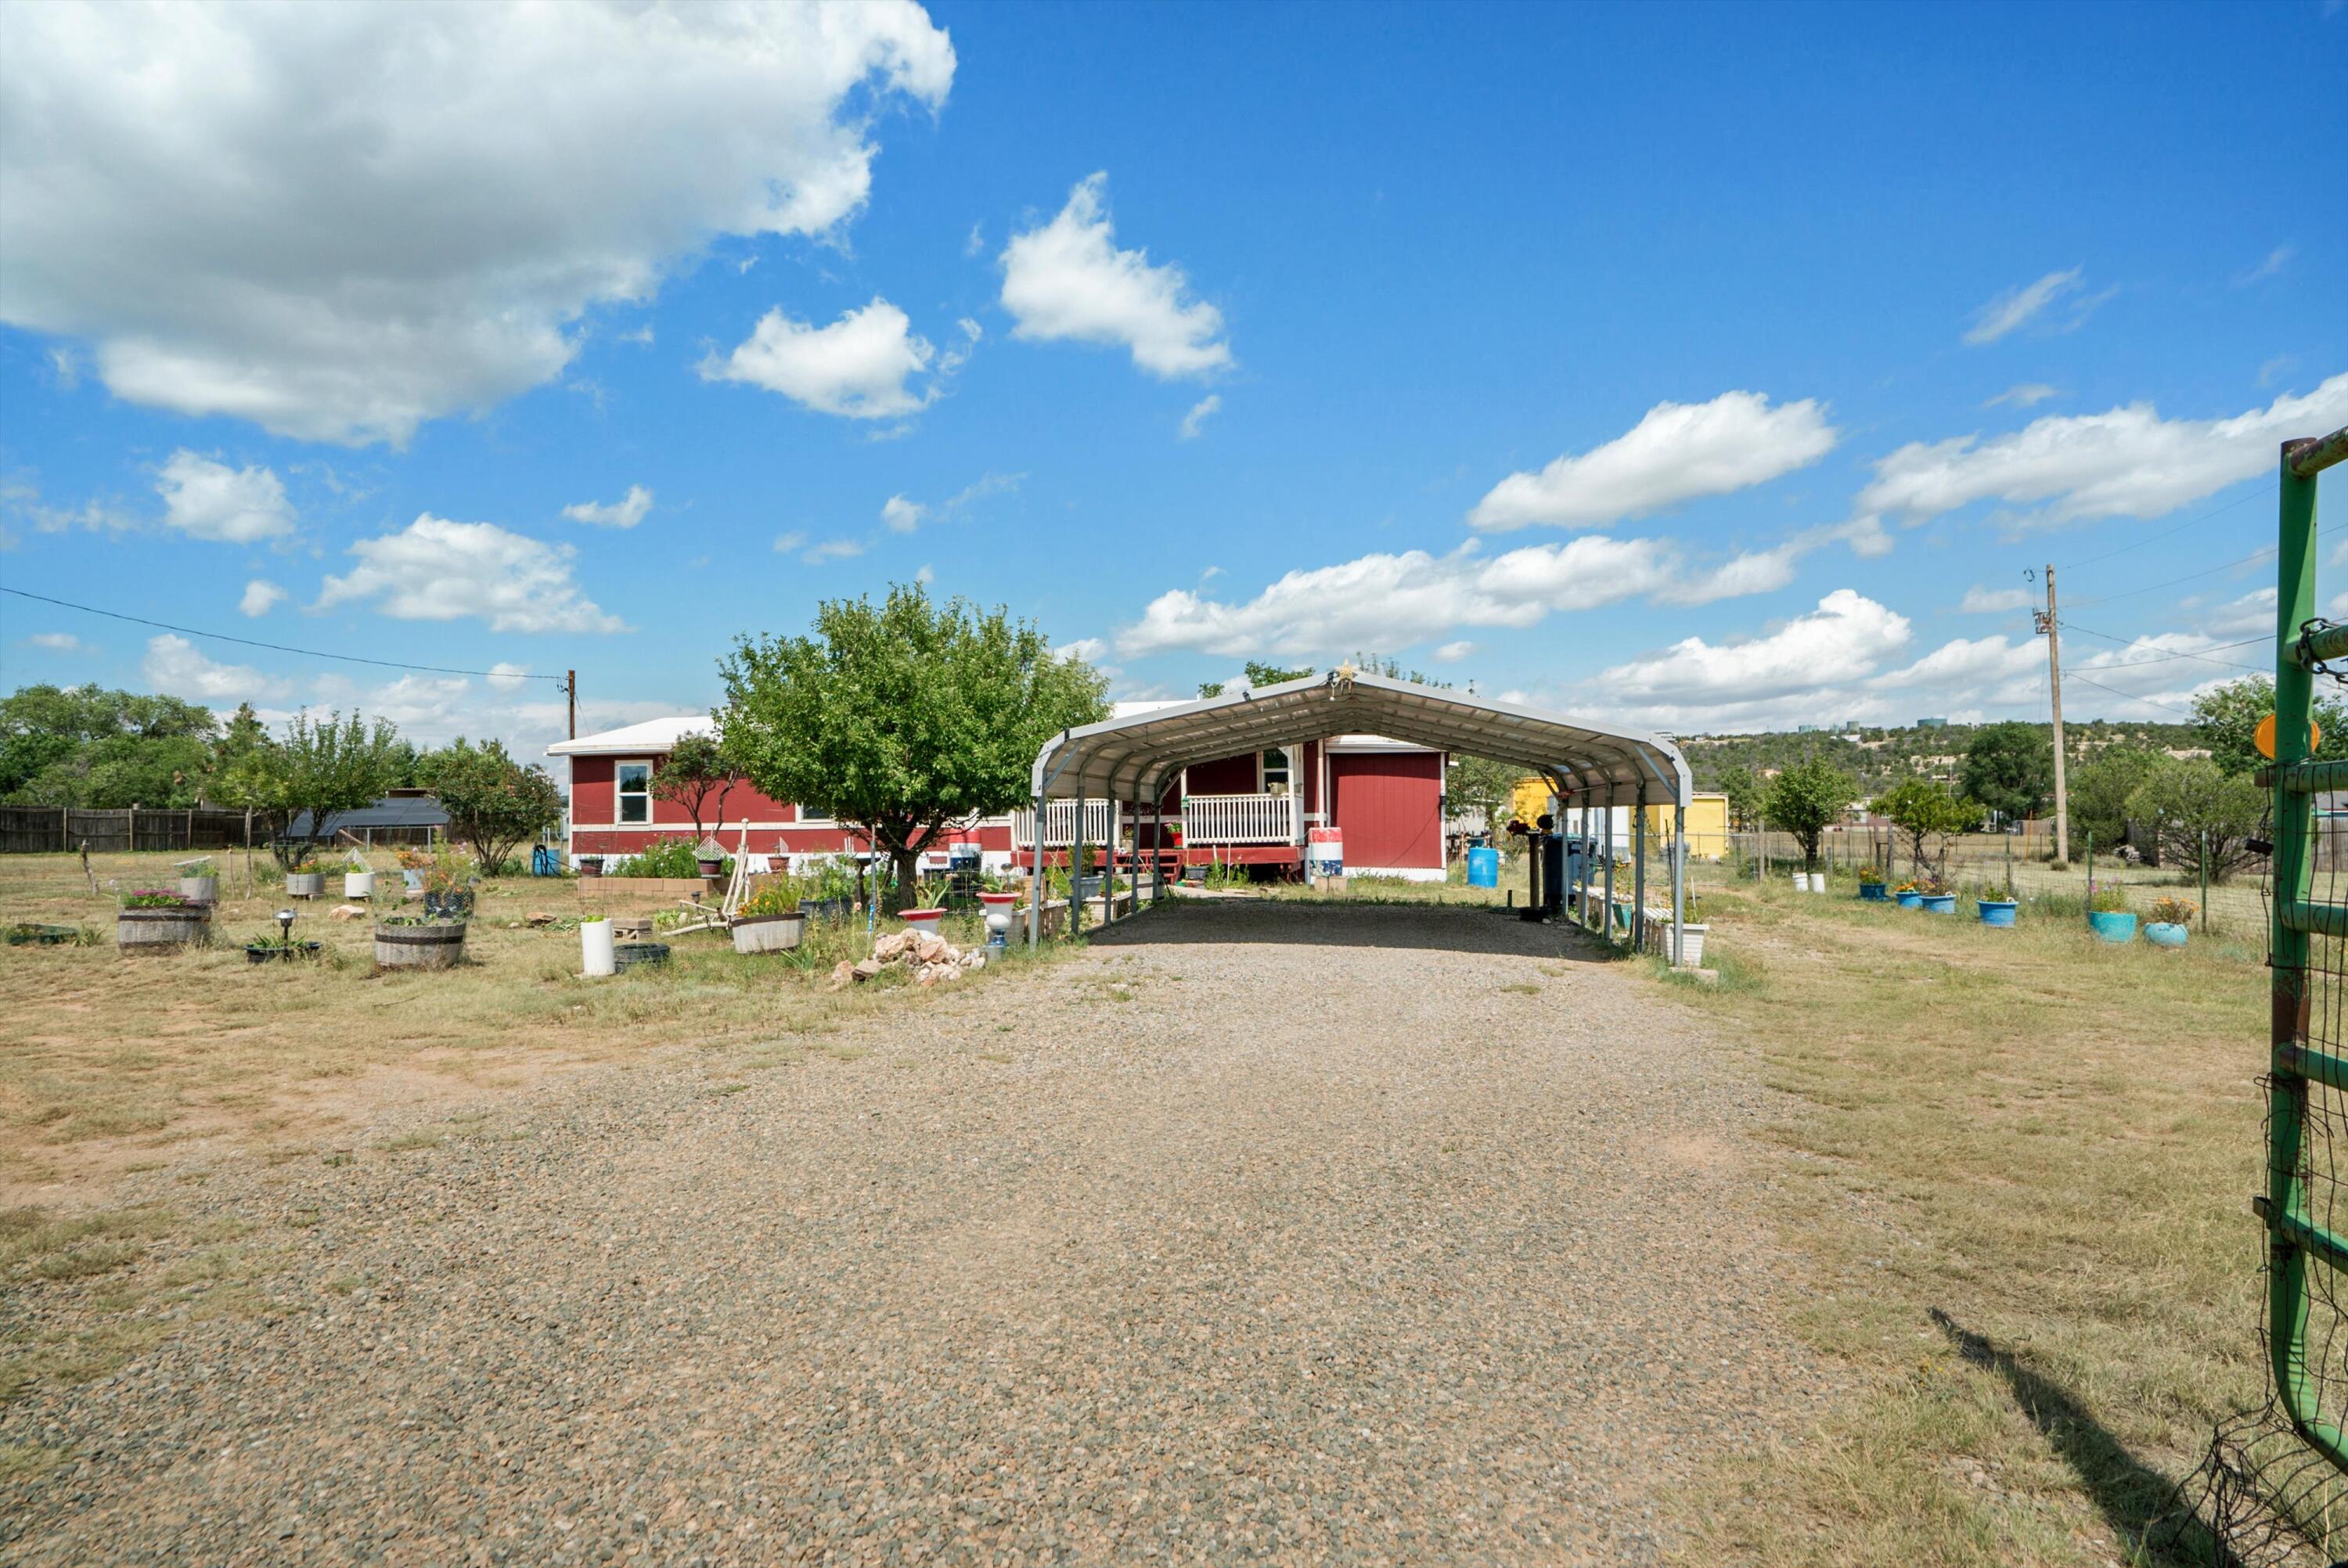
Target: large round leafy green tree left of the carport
{"type": "Point", "coordinates": [903, 717]}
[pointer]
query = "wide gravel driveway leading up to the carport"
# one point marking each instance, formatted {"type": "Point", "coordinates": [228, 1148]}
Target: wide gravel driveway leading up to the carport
{"type": "Point", "coordinates": [1260, 1231]}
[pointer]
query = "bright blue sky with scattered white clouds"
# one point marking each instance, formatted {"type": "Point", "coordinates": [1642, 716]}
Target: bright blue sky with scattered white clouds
{"type": "Point", "coordinates": [1696, 367]}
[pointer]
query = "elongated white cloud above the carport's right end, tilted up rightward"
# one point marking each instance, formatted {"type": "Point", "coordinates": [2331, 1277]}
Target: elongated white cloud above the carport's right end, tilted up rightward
{"type": "Point", "coordinates": [1678, 452]}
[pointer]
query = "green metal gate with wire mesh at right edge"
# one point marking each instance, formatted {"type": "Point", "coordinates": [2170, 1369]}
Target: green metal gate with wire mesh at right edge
{"type": "Point", "coordinates": [2307, 1318]}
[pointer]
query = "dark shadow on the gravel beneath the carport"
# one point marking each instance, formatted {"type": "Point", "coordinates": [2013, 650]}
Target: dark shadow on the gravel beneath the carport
{"type": "Point", "coordinates": [1445, 928]}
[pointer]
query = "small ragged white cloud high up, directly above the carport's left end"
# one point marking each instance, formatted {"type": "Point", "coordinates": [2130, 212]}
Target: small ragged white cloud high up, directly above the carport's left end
{"type": "Point", "coordinates": [1067, 281]}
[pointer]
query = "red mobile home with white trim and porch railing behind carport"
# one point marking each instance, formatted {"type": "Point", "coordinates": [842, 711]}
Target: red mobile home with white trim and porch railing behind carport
{"type": "Point", "coordinates": [1384, 797]}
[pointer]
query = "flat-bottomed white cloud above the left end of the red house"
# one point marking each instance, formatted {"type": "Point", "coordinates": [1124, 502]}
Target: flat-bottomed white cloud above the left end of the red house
{"type": "Point", "coordinates": [438, 569]}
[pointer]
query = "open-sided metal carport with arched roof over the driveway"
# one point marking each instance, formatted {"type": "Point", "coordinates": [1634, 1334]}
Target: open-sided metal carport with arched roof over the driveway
{"type": "Point", "coordinates": [1593, 766]}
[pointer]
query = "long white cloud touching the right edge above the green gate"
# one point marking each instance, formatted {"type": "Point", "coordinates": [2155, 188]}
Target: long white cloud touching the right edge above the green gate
{"type": "Point", "coordinates": [2119, 464]}
